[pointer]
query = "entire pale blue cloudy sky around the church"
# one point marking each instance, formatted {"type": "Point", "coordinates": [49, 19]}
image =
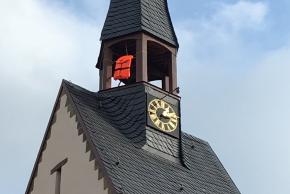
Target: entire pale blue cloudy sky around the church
{"type": "Point", "coordinates": [233, 71]}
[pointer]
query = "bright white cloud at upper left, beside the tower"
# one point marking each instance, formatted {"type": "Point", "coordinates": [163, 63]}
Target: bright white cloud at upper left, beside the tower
{"type": "Point", "coordinates": [37, 38]}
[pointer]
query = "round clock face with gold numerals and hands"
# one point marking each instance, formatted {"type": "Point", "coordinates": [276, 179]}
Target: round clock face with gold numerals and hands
{"type": "Point", "coordinates": [163, 115]}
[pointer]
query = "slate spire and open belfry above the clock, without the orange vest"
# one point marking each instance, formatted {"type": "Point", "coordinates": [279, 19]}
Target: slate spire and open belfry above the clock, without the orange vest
{"type": "Point", "coordinates": [143, 29]}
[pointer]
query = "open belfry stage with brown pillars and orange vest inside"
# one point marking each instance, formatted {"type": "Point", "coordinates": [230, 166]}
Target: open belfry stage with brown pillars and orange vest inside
{"type": "Point", "coordinates": [135, 58]}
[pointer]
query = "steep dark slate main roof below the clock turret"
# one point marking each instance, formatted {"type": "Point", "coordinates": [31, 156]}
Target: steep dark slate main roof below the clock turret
{"type": "Point", "coordinates": [134, 170]}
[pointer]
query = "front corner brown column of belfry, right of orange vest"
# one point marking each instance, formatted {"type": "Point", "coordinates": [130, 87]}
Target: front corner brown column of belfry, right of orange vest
{"type": "Point", "coordinates": [141, 58]}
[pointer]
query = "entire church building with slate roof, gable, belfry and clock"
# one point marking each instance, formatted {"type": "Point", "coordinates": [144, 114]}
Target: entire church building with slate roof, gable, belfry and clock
{"type": "Point", "coordinates": [127, 139]}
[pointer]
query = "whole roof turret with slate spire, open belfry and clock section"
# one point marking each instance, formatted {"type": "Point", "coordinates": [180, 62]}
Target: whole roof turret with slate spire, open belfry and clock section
{"type": "Point", "coordinates": [139, 46]}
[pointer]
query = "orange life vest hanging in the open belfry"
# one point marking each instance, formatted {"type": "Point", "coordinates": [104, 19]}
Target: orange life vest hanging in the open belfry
{"type": "Point", "coordinates": [123, 67]}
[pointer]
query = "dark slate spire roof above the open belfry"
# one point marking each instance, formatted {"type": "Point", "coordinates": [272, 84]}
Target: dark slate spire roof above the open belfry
{"type": "Point", "coordinates": [130, 16]}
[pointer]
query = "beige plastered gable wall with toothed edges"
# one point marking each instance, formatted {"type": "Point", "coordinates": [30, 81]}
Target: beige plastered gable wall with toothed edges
{"type": "Point", "coordinates": [78, 174]}
